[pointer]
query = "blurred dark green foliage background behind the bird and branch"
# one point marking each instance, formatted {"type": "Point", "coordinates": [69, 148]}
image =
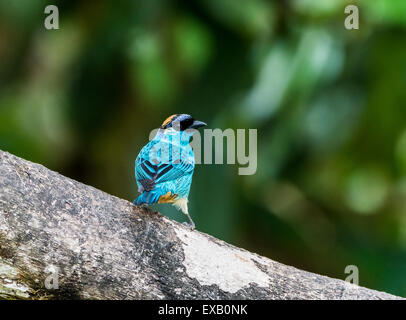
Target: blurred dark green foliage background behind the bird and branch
{"type": "Point", "coordinates": [328, 103]}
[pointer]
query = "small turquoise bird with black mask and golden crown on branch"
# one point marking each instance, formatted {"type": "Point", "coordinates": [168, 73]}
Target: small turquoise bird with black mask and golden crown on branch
{"type": "Point", "coordinates": [164, 167]}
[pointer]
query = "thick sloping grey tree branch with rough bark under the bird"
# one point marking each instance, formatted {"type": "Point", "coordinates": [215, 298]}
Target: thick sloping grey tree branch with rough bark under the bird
{"type": "Point", "coordinates": [103, 247]}
